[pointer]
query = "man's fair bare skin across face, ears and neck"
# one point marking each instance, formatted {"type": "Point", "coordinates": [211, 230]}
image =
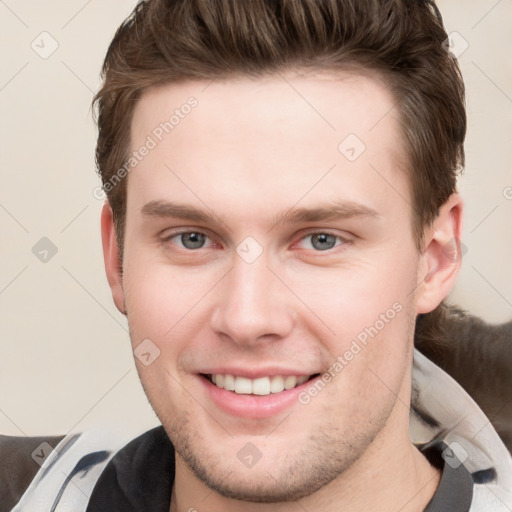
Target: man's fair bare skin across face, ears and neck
{"type": "Point", "coordinates": [250, 150]}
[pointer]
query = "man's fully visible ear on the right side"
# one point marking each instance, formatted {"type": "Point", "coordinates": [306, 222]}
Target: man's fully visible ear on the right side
{"type": "Point", "coordinates": [442, 256]}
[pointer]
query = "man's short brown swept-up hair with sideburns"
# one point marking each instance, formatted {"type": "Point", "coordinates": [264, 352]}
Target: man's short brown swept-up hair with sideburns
{"type": "Point", "coordinates": [165, 41]}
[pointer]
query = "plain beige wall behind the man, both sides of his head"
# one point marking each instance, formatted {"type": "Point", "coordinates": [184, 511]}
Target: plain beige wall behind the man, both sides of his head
{"type": "Point", "coordinates": [66, 362]}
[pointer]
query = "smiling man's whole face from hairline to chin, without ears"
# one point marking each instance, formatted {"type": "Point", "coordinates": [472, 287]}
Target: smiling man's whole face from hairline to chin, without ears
{"type": "Point", "coordinates": [255, 287]}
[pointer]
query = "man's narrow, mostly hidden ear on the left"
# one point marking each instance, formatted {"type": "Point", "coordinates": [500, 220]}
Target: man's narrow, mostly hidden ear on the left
{"type": "Point", "coordinates": [113, 266]}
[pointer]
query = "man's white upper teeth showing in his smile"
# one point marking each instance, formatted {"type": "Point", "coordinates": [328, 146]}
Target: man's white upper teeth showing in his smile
{"type": "Point", "coordinates": [260, 386]}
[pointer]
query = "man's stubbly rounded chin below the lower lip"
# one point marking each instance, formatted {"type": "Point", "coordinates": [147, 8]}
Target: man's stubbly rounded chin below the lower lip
{"type": "Point", "coordinates": [291, 474]}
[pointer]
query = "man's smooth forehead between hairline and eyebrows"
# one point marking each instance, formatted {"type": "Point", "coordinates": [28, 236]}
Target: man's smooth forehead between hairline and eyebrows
{"type": "Point", "coordinates": [278, 137]}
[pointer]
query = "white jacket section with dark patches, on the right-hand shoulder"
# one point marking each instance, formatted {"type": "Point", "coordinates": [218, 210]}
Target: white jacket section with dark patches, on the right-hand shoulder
{"type": "Point", "coordinates": [441, 410]}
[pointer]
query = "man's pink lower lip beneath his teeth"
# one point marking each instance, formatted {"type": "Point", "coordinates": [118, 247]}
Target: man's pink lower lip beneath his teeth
{"type": "Point", "coordinates": [253, 406]}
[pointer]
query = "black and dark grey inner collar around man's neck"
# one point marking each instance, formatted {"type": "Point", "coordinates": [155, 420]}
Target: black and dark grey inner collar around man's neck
{"type": "Point", "coordinates": [139, 478]}
